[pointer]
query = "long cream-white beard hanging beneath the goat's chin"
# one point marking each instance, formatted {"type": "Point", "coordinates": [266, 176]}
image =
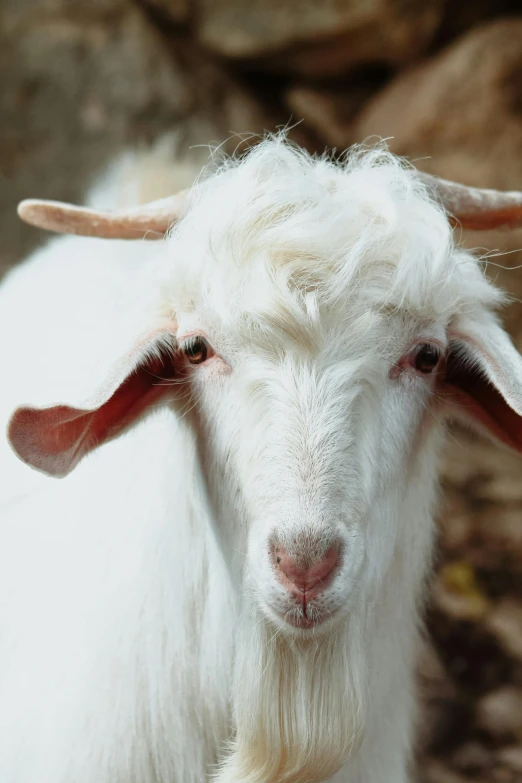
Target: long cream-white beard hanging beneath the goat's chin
{"type": "Point", "coordinates": [299, 704]}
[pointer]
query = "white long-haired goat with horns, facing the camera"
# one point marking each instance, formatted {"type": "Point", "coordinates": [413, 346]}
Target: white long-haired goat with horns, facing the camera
{"type": "Point", "coordinates": [232, 586]}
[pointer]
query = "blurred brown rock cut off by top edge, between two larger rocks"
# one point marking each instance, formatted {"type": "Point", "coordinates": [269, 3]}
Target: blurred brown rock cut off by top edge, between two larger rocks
{"type": "Point", "coordinates": [312, 38]}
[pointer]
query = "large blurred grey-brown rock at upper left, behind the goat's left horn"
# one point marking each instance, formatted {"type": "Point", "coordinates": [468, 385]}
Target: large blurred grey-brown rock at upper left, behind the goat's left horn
{"type": "Point", "coordinates": [82, 80]}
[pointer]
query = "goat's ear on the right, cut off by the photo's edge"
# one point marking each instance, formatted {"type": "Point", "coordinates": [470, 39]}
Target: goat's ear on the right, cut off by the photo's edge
{"type": "Point", "coordinates": [482, 383]}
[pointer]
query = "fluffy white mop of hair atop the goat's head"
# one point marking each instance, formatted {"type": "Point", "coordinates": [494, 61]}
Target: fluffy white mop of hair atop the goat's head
{"type": "Point", "coordinates": [282, 240]}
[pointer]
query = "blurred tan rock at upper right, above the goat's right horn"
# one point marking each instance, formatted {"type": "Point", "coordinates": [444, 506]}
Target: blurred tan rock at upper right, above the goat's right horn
{"type": "Point", "coordinates": [459, 113]}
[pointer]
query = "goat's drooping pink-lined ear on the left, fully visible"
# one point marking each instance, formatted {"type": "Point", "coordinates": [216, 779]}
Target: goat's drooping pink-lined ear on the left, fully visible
{"type": "Point", "coordinates": [54, 439]}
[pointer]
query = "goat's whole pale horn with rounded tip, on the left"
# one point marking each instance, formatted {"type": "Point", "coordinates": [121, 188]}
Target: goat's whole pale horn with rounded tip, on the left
{"type": "Point", "coordinates": [149, 221]}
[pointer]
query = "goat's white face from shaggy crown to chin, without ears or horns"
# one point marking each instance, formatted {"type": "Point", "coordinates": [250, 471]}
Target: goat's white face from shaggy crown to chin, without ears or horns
{"type": "Point", "coordinates": [307, 395]}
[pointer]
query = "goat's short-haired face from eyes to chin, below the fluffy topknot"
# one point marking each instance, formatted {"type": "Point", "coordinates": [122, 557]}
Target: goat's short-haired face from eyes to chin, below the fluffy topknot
{"type": "Point", "coordinates": [305, 441]}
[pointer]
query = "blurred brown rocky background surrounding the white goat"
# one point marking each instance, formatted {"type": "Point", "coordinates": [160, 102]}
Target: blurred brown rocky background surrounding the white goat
{"type": "Point", "coordinates": [442, 79]}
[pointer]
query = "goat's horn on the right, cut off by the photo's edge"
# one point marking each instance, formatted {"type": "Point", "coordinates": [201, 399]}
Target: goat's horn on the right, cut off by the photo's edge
{"type": "Point", "coordinates": [477, 208]}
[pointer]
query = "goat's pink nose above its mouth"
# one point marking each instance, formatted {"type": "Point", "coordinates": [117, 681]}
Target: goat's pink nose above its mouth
{"type": "Point", "coordinates": [305, 577]}
